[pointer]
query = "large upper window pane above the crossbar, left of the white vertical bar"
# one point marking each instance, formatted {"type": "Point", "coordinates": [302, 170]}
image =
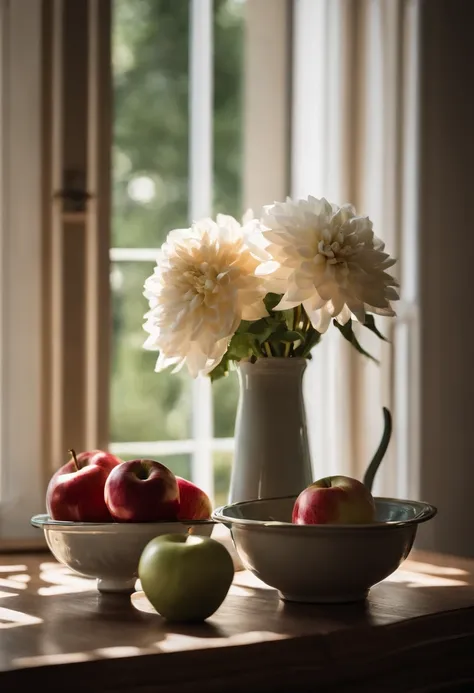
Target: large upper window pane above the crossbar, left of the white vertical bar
{"type": "Point", "coordinates": [150, 141]}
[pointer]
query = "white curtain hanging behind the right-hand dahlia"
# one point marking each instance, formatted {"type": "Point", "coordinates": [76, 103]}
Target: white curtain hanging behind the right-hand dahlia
{"type": "Point", "coordinates": [354, 139]}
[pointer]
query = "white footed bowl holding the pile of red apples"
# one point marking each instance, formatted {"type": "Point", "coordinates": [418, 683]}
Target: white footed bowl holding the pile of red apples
{"type": "Point", "coordinates": [109, 552]}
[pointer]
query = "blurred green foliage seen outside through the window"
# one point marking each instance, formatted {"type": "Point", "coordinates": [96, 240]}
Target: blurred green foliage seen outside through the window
{"type": "Point", "coordinates": [150, 197]}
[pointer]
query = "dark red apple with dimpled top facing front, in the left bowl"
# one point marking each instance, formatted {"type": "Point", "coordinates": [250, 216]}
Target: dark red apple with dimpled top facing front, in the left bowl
{"type": "Point", "coordinates": [142, 491]}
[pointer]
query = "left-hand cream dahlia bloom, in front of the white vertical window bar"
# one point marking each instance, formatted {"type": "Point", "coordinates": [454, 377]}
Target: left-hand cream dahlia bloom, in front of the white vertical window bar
{"type": "Point", "coordinates": [203, 285]}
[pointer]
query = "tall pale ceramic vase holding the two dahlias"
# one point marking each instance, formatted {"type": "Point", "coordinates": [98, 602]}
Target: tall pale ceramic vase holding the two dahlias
{"type": "Point", "coordinates": [272, 456]}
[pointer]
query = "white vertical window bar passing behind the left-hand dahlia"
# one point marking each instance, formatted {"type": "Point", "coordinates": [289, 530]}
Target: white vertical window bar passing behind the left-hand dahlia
{"type": "Point", "coordinates": [200, 205]}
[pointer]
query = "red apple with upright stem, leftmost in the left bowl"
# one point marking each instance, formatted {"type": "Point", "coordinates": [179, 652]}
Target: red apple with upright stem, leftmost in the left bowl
{"type": "Point", "coordinates": [76, 491]}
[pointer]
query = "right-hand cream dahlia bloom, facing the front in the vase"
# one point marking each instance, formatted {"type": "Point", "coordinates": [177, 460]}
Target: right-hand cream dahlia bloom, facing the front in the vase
{"type": "Point", "coordinates": [329, 260]}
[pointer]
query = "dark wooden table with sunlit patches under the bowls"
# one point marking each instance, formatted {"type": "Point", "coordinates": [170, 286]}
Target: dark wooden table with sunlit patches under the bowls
{"type": "Point", "coordinates": [414, 633]}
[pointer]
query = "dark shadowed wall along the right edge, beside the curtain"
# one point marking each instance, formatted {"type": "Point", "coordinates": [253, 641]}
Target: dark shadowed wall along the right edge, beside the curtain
{"type": "Point", "coordinates": [447, 270]}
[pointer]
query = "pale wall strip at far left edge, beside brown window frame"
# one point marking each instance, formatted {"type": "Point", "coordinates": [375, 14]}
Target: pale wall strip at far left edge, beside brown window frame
{"type": "Point", "coordinates": [22, 493]}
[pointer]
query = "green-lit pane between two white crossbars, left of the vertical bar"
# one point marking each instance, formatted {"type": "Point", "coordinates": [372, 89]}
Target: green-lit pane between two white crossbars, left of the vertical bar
{"type": "Point", "coordinates": [144, 405]}
